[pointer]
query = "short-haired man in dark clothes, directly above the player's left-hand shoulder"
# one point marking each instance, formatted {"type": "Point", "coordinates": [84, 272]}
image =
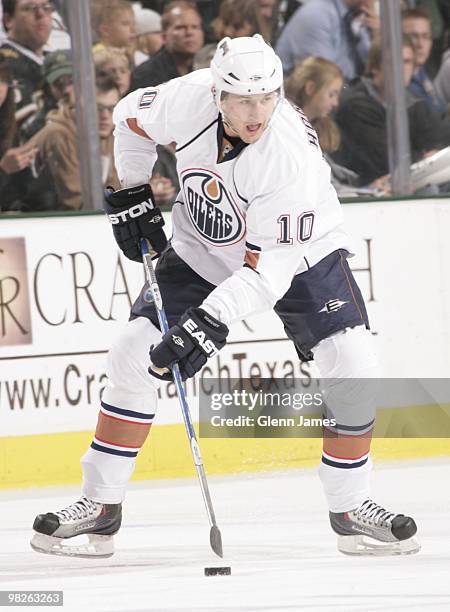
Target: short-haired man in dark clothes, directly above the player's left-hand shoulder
{"type": "Point", "coordinates": [183, 37]}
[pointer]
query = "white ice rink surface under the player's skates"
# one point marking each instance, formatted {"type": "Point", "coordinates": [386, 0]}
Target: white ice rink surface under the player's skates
{"type": "Point", "coordinates": [276, 539]}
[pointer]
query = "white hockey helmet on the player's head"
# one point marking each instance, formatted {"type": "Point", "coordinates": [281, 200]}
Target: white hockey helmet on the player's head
{"type": "Point", "coordinates": [245, 66]}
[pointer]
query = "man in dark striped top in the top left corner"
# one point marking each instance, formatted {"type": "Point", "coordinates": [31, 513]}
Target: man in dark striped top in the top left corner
{"type": "Point", "coordinates": [28, 24]}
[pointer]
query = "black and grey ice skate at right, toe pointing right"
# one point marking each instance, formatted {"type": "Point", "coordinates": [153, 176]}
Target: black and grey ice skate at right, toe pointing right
{"type": "Point", "coordinates": [372, 530]}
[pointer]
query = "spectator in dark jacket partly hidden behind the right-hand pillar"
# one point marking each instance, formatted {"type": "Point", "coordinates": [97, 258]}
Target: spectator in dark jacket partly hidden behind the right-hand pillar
{"type": "Point", "coordinates": [361, 117]}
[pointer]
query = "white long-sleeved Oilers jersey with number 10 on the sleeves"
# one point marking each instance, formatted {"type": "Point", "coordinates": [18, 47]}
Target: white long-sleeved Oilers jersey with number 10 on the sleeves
{"type": "Point", "coordinates": [270, 204]}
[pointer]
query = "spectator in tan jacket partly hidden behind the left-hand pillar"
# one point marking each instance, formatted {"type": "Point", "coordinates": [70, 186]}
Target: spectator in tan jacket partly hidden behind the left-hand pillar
{"type": "Point", "coordinates": [57, 161]}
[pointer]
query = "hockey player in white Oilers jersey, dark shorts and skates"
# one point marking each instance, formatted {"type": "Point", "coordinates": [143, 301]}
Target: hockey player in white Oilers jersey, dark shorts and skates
{"type": "Point", "coordinates": [257, 225]}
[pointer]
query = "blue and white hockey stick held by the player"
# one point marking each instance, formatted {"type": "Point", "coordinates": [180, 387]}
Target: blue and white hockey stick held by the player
{"type": "Point", "coordinates": [215, 537]}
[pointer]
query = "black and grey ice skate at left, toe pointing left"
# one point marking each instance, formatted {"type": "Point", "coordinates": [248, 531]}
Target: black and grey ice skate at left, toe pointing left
{"type": "Point", "coordinates": [99, 522]}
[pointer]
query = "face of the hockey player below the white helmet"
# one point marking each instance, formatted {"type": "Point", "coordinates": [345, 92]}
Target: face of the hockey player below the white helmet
{"type": "Point", "coordinates": [248, 116]}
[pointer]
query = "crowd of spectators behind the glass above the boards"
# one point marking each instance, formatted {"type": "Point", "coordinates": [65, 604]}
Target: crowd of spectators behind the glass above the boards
{"type": "Point", "coordinates": [331, 54]}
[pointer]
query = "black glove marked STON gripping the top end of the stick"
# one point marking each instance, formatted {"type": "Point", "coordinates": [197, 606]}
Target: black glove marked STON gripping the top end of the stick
{"type": "Point", "coordinates": [133, 215]}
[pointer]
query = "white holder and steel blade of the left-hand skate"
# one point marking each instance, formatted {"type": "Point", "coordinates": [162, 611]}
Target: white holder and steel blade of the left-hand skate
{"type": "Point", "coordinates": [97, 546]}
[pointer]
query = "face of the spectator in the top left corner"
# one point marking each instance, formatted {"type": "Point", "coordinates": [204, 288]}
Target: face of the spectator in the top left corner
{"type": "Point", "coordinates": [31, 23]}
